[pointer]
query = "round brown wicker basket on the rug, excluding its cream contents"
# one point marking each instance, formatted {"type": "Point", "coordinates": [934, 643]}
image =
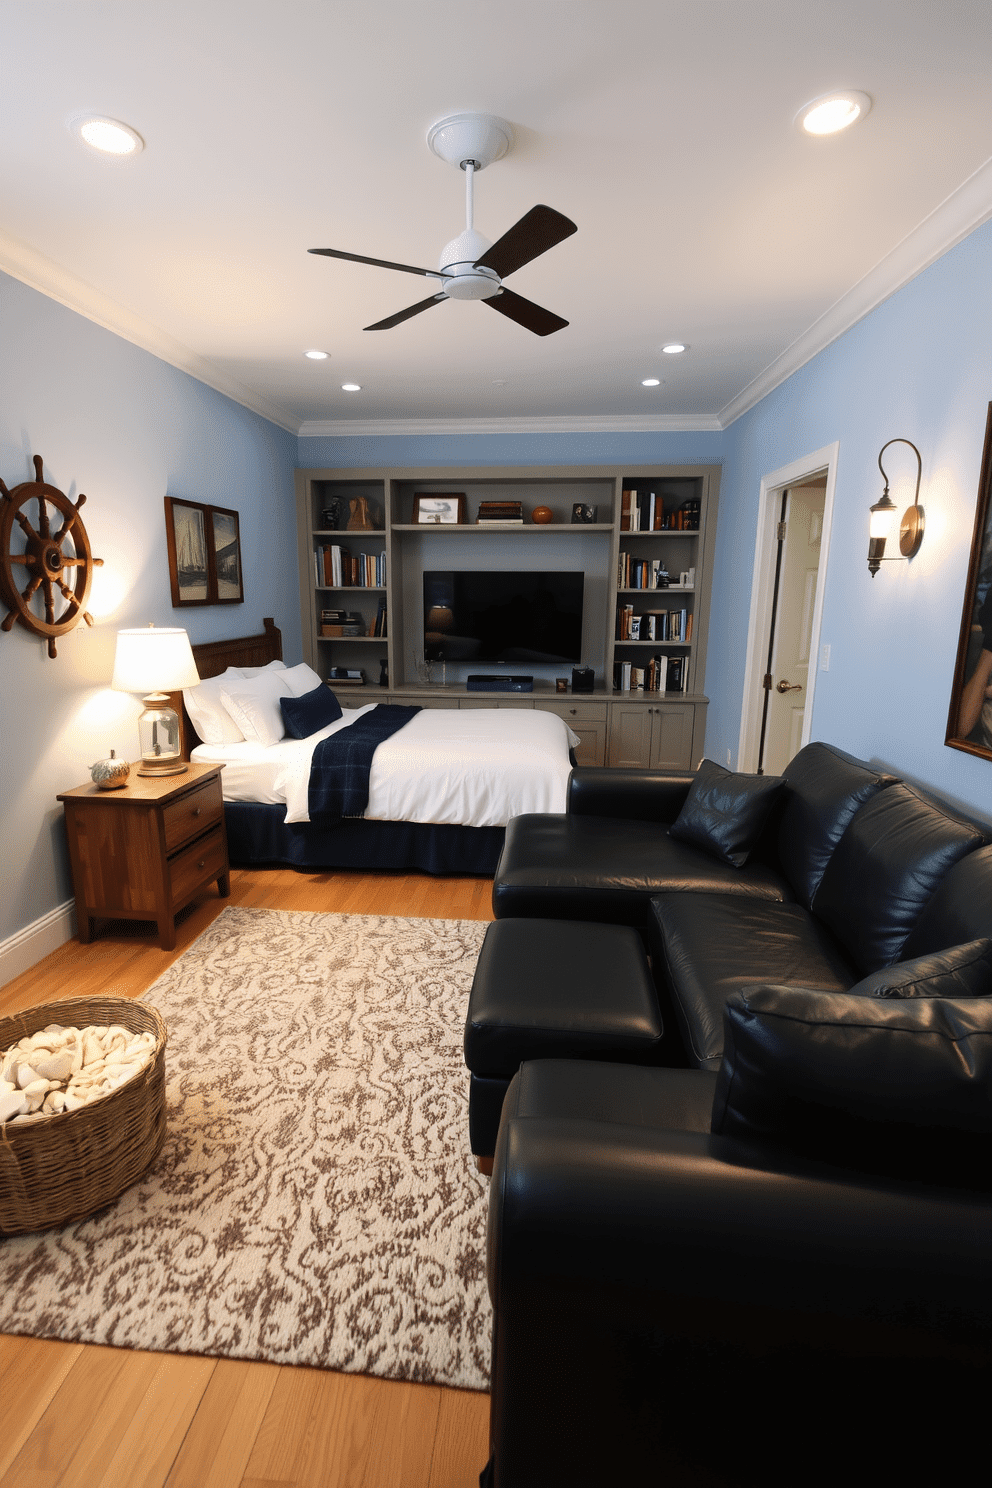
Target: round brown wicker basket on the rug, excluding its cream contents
{"type": "Point", "coordinates": [66, 1167]}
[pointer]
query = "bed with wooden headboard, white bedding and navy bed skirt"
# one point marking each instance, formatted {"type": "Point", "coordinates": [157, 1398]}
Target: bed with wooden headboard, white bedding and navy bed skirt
{"type": "Point", "coordinates": [441, 789]}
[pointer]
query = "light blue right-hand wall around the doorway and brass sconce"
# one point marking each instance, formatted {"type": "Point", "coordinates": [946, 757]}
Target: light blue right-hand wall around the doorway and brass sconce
{"type": "Point", "coordinates": [920, 368]}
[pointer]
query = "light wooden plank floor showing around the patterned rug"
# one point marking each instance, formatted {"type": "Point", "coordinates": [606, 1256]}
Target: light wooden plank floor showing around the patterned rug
{"type": "Point", "coordinates": [78, 1416]}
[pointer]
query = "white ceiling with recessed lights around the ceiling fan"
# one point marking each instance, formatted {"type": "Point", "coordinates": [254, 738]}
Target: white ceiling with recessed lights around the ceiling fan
{"type": "Point", "coordinates": [666, 130]}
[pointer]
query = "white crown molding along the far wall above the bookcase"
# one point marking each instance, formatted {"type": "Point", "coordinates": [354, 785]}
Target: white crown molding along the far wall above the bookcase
{"type": "Point", "coordinates": [560, 425]}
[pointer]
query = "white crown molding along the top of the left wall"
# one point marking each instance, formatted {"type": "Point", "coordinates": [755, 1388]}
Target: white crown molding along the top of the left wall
{"type": "Point", "coordinates": [39, 273]}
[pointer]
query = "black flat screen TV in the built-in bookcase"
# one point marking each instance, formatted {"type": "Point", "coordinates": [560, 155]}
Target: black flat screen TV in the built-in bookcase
{"type": "Point", "coordinates": [502, 617]}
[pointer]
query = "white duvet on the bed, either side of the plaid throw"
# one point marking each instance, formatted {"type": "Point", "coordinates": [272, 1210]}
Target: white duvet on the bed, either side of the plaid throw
{"type": "Point", "coordinates": [475, 767]}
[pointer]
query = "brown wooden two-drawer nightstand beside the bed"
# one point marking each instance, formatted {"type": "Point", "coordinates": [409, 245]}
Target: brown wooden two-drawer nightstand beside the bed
{"type": "Point", "coordinates": [145, 850]}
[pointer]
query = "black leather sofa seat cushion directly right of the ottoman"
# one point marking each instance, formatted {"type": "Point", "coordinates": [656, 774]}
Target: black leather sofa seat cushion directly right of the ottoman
{"type": "Point", "coordinates": [706, 949]}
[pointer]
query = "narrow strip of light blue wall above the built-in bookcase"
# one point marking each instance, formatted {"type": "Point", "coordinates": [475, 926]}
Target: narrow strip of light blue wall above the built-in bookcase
{"type": "Point", "coordinates": [398, 452]}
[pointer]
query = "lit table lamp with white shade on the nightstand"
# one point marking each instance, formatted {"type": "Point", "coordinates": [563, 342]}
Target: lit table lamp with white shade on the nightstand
{"type": "Point", "coordinates": [157, 661]}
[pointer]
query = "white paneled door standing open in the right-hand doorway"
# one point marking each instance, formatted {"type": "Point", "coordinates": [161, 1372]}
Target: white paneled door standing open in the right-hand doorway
{"type": "Point", "coordinates": [793, 626]}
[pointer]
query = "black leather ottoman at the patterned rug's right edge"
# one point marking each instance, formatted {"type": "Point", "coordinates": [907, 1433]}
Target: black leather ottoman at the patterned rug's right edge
{"type": "Point", "coordinates": [554, 990]}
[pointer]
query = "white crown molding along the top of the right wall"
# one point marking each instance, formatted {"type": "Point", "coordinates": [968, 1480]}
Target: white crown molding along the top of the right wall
{"type": "Point", "coordinates": [959, 215]}
